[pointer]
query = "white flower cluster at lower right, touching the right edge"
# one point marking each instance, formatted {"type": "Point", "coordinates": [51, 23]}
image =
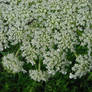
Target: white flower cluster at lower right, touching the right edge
{"type": "Point", "coordinates": [82, 66]}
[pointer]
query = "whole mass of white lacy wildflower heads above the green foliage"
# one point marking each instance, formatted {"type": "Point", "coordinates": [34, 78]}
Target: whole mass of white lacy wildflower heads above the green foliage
{"type": "Point", "coordinates": [53, 35]}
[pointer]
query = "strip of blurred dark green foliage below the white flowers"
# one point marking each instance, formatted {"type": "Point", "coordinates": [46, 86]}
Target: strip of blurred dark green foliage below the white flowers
{"type": "Point", "coordinates": [59, 83]}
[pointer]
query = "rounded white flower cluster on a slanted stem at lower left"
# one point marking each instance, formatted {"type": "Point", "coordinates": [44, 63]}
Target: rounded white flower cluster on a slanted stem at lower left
{"type": "Point", "coordinates": [12, 64]}
